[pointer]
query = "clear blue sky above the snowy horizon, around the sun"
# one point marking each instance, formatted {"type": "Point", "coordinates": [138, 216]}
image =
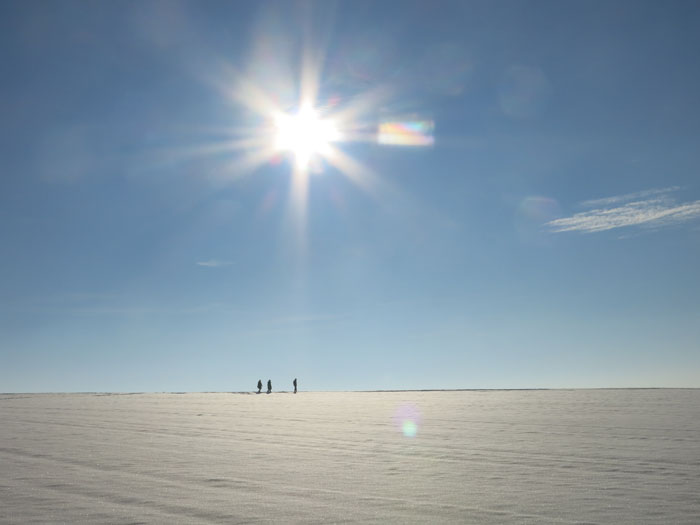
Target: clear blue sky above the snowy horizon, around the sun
{"type": "Point", "coordinates": [548, 237]}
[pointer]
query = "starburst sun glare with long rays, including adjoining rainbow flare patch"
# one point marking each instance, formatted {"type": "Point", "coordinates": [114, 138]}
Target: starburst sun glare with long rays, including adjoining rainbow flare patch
{"type": "Point", "coordinates": [313, 134]}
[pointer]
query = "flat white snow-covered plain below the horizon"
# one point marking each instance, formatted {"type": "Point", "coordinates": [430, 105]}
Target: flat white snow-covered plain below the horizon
{"type": "Point", "coordinates": [540, 456]}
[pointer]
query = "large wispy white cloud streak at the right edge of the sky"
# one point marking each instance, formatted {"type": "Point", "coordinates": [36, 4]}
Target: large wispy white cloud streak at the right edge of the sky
{"type": "Point", "coordinates": [649, 209]}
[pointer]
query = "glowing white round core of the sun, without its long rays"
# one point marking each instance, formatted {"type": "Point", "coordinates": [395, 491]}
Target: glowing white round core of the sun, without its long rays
{"type": "Point", "coordinates": [305, 135]}
